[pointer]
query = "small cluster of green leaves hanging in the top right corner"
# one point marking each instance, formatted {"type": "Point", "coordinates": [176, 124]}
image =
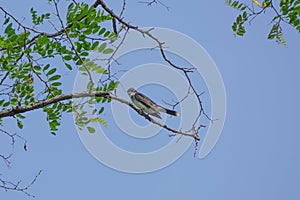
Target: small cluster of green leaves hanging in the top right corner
{"type": "Point", "coordinates": [287, 11]}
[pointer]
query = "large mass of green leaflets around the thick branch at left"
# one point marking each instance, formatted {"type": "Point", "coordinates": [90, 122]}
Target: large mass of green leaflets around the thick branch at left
{"type": "Point", "coordinates": [31, 60]}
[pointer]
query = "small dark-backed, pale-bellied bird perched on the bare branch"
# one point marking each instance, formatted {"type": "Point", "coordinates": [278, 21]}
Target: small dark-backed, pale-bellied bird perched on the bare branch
{"type": "Point", "coordinates": [147, 105]}
